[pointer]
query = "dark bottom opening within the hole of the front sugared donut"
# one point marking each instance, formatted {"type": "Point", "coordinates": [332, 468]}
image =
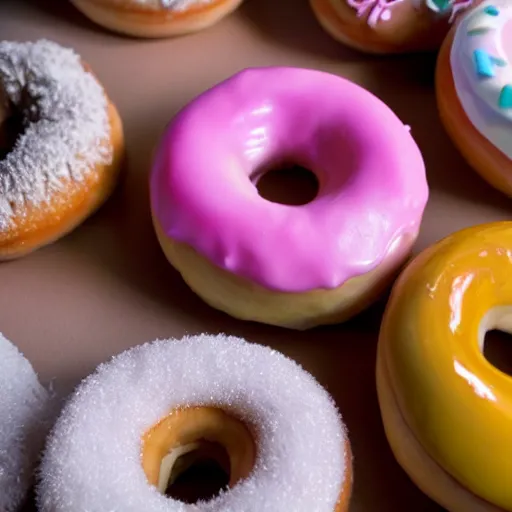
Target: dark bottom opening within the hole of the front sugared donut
{"type": "Point", "coordinates": [200, 474]}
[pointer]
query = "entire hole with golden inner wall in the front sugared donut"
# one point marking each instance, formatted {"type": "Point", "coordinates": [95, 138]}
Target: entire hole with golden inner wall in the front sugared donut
{"type": "Point", "coordinates": [193, 454]}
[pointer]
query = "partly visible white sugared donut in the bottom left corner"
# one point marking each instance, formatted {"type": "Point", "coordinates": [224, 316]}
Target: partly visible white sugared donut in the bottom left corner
{"type": "Point", "coordinates": [24, 422]}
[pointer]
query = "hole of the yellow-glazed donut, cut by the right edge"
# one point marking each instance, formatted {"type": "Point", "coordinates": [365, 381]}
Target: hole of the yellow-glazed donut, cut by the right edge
{"type": "Point", "coordinates": [496, 339]}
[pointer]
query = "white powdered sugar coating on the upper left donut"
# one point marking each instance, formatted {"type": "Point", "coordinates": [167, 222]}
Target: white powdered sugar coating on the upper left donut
{"type": "Point", "coordinates": [67, 129]}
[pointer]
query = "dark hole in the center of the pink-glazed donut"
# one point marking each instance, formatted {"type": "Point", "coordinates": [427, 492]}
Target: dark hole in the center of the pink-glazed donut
{"type": "Point", "coordinates": [286, 183]}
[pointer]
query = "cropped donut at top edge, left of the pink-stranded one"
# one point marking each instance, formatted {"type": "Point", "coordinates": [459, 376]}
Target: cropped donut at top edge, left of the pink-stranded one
{"type": "Point", "coordinates": [156, 18]}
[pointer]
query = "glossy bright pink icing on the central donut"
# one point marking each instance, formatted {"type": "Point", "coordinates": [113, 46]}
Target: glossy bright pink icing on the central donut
{"type": "Point", "coordinates": [373, 187]}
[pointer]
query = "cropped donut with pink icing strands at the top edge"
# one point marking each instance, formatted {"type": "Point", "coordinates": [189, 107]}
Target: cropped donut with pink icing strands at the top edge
{"type": "Point", "coordinates": [389, 26]}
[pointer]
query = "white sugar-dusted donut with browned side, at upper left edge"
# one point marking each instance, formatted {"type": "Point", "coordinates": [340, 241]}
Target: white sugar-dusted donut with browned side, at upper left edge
{"type": "Point", "coordinates": [65, 161]}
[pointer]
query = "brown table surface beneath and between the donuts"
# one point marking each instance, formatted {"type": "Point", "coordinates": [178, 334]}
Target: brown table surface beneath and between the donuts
{"type": "Point", "coordinates": [107, 287]}
